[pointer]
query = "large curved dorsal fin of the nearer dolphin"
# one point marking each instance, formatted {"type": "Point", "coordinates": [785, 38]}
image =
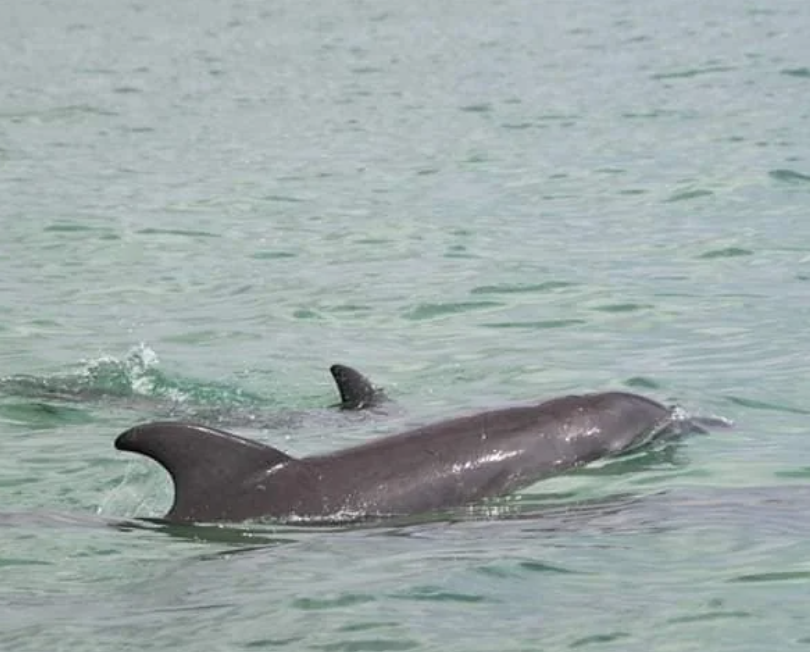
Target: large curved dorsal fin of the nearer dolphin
{"type": "Point", "coordinates": [203, 462]}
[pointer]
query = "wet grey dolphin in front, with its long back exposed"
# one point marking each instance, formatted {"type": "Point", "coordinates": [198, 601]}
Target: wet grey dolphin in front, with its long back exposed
{"type": "Point", "coordinates": [219, 476]}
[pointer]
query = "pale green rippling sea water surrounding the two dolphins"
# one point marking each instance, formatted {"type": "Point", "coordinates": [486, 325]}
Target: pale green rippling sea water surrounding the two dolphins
{"type": "Point", "coordinates": [474, 203]}
